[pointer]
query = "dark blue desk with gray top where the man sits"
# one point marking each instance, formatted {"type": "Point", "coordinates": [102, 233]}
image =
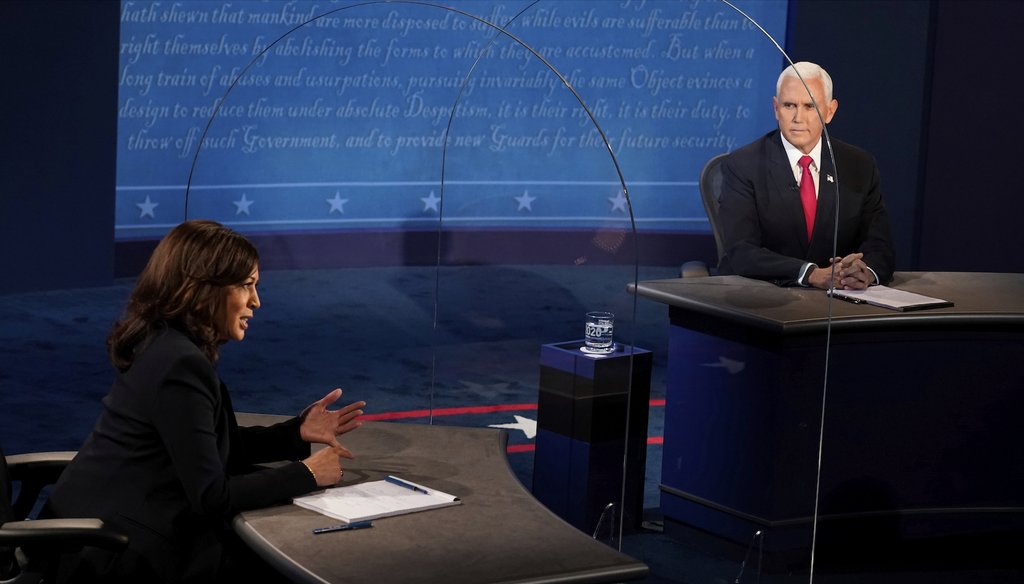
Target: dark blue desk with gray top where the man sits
{"type": "Point", "coordinates": [922, 410]}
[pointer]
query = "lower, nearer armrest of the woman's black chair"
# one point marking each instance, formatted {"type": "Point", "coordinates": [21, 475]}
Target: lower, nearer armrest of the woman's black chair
{"type": "Point", "coordinates": [64, 535]}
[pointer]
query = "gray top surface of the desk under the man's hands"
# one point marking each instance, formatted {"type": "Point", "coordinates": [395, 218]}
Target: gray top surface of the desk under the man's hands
{"type": "Point", "coordinates": [979, 300]}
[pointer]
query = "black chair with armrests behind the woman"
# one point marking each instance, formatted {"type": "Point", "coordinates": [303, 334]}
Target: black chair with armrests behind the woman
{"type": "Point", "coordinates": [30, 549]}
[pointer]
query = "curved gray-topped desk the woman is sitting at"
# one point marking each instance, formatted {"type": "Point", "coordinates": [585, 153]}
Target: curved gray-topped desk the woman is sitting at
{"type": "Point", "coordinates": [499, 534]}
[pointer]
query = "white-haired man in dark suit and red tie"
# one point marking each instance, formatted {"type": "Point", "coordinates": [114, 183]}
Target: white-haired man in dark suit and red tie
{"type": "Point", "coordinates": [771, 233]}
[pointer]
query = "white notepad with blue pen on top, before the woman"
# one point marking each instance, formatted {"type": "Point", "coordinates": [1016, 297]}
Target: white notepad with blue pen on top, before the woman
{"type": "Point", "coordinates": [375, 499]}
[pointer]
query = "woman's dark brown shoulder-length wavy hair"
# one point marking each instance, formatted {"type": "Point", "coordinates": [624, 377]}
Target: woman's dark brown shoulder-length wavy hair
{"type": "Point", "coordinates": [184, 285]}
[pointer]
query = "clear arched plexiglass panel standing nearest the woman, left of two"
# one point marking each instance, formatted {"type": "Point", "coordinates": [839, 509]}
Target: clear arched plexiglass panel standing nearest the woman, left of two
{"type": "Point", "coordinates": [487, 244]}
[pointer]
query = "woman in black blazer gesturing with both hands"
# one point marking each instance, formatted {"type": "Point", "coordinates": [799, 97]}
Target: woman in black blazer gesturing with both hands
{"type": "Point", "coordinates": [166, 461]}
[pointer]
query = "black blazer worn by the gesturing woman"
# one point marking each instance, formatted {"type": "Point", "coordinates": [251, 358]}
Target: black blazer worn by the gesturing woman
{"type": "Point", "coordinates": [159, 465]}
